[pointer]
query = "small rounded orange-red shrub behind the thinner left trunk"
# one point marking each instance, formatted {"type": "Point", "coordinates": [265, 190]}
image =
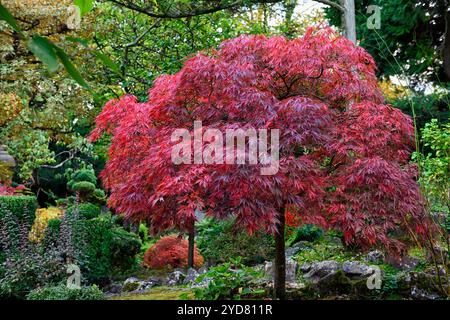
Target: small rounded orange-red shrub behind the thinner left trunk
{"type": "Point", "coordinates": [170, 251]}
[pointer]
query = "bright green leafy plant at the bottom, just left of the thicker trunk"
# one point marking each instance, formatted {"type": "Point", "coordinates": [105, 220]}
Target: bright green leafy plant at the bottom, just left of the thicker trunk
{"type": "Point", "coordinates": [230, 280]}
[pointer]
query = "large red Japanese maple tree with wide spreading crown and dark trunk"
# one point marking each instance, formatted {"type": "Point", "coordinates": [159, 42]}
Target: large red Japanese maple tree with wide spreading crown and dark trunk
{"type": "Point", "coordinates": [342, 158]}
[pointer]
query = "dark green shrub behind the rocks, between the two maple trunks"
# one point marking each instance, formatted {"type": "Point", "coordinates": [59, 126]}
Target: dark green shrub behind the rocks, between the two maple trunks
{"type": "Point", "coordinates": [220, 241]}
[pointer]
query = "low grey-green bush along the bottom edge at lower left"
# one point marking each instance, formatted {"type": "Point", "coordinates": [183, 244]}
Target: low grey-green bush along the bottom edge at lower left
{"type": "Point", "coordinates": [62, 292]}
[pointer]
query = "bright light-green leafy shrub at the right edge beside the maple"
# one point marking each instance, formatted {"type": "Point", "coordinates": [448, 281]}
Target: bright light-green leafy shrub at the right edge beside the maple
{"type": "Point", "coordinates": [435, 165]}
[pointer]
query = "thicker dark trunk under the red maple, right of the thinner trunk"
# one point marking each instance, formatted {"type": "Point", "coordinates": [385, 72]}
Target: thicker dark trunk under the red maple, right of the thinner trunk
{"type": "Point", "coordinates": [280, 259]}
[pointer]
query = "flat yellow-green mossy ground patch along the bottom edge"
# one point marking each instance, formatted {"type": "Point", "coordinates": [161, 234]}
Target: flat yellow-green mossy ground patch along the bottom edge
{"type": "Point", "coordinates": [159, 293]}
